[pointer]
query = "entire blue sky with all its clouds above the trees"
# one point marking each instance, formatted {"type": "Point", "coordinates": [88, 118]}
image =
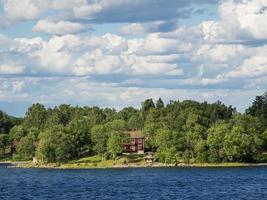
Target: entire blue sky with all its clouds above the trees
{"type": "Point", "coordinates": [116, 53]}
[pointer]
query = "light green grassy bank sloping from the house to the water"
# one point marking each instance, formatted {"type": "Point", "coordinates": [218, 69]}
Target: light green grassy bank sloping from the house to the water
{"type": "Point", "coordinates": [133, 161]}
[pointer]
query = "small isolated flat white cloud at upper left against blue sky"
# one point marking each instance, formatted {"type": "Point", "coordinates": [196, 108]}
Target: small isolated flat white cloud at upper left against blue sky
{"type": "Point", "coordinates": [59, 28]}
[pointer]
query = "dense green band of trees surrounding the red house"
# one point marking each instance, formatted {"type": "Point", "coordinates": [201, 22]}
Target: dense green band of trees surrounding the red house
{"type": "Point", "coordinates": [181, 131]}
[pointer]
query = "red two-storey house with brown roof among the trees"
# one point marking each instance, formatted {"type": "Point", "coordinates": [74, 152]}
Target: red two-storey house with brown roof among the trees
{"type": "Point", "coordinates": [135, 144]}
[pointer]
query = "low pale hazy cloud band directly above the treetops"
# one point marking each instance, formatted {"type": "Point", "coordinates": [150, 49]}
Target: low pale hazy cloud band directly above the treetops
{"type": "Point", "coordinates": [80, 90]}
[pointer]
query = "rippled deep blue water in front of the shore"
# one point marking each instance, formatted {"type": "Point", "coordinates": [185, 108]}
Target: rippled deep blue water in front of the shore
{"type": "Point", "coordinates": [162, 183]}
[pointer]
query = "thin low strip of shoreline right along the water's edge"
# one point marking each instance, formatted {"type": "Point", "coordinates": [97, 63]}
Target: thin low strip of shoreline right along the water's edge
{"type": "Point", "coordinates": [31, 165]}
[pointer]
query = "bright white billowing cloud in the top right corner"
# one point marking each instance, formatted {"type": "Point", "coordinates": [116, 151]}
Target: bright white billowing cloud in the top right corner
{"type": "Point", "coordinates": [240, 20]}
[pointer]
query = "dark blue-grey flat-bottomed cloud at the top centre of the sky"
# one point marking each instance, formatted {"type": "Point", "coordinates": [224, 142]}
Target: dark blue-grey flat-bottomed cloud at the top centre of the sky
{"type": "Point", "coordinates": [137, 11]}
